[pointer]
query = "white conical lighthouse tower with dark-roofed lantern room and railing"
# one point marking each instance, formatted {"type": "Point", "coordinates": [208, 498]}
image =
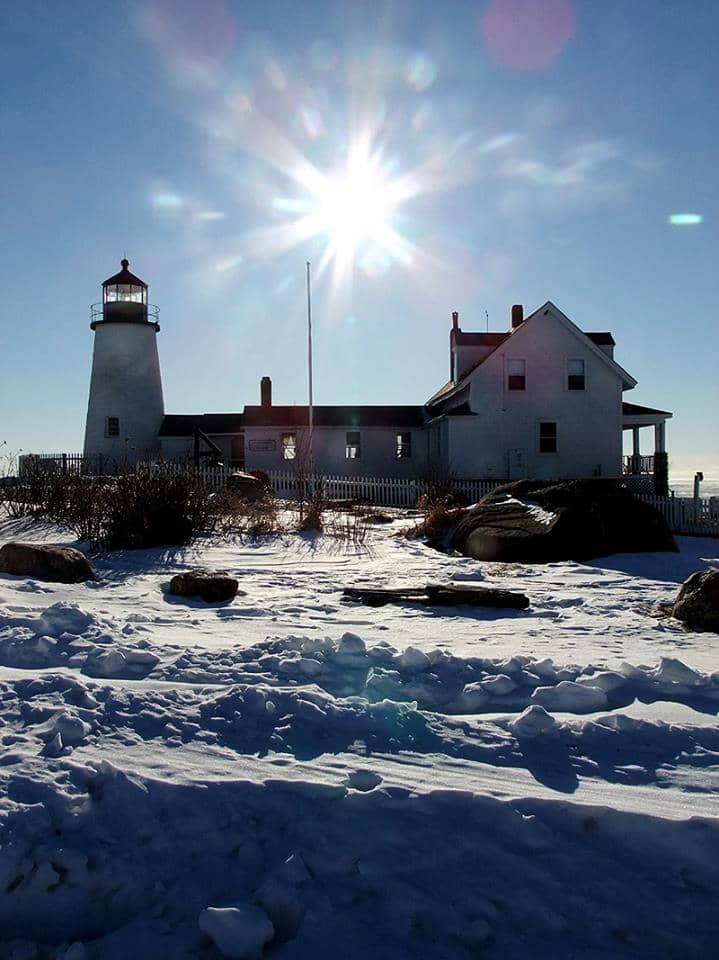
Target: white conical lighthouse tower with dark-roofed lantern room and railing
{"type": "Point", "coordinates": [125, 409]}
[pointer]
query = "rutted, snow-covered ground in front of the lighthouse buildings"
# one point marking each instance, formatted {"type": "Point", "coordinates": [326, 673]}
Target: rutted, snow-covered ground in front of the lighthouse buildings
{"type": "Point", "coordinates": [328, 779]}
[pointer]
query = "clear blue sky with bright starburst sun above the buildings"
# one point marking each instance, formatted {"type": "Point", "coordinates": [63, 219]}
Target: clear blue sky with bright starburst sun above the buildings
{"type": "Point", "coordinates": [499, 152]}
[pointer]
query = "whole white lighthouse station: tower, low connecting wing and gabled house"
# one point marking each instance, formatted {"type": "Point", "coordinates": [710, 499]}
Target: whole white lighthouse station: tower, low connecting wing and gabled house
{"type": "Point", "coordinates": [542, 399]}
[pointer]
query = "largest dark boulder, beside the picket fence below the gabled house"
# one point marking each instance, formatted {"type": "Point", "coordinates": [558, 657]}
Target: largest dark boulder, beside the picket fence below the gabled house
{"type": "Point", "coordinates": [541, 522]}
